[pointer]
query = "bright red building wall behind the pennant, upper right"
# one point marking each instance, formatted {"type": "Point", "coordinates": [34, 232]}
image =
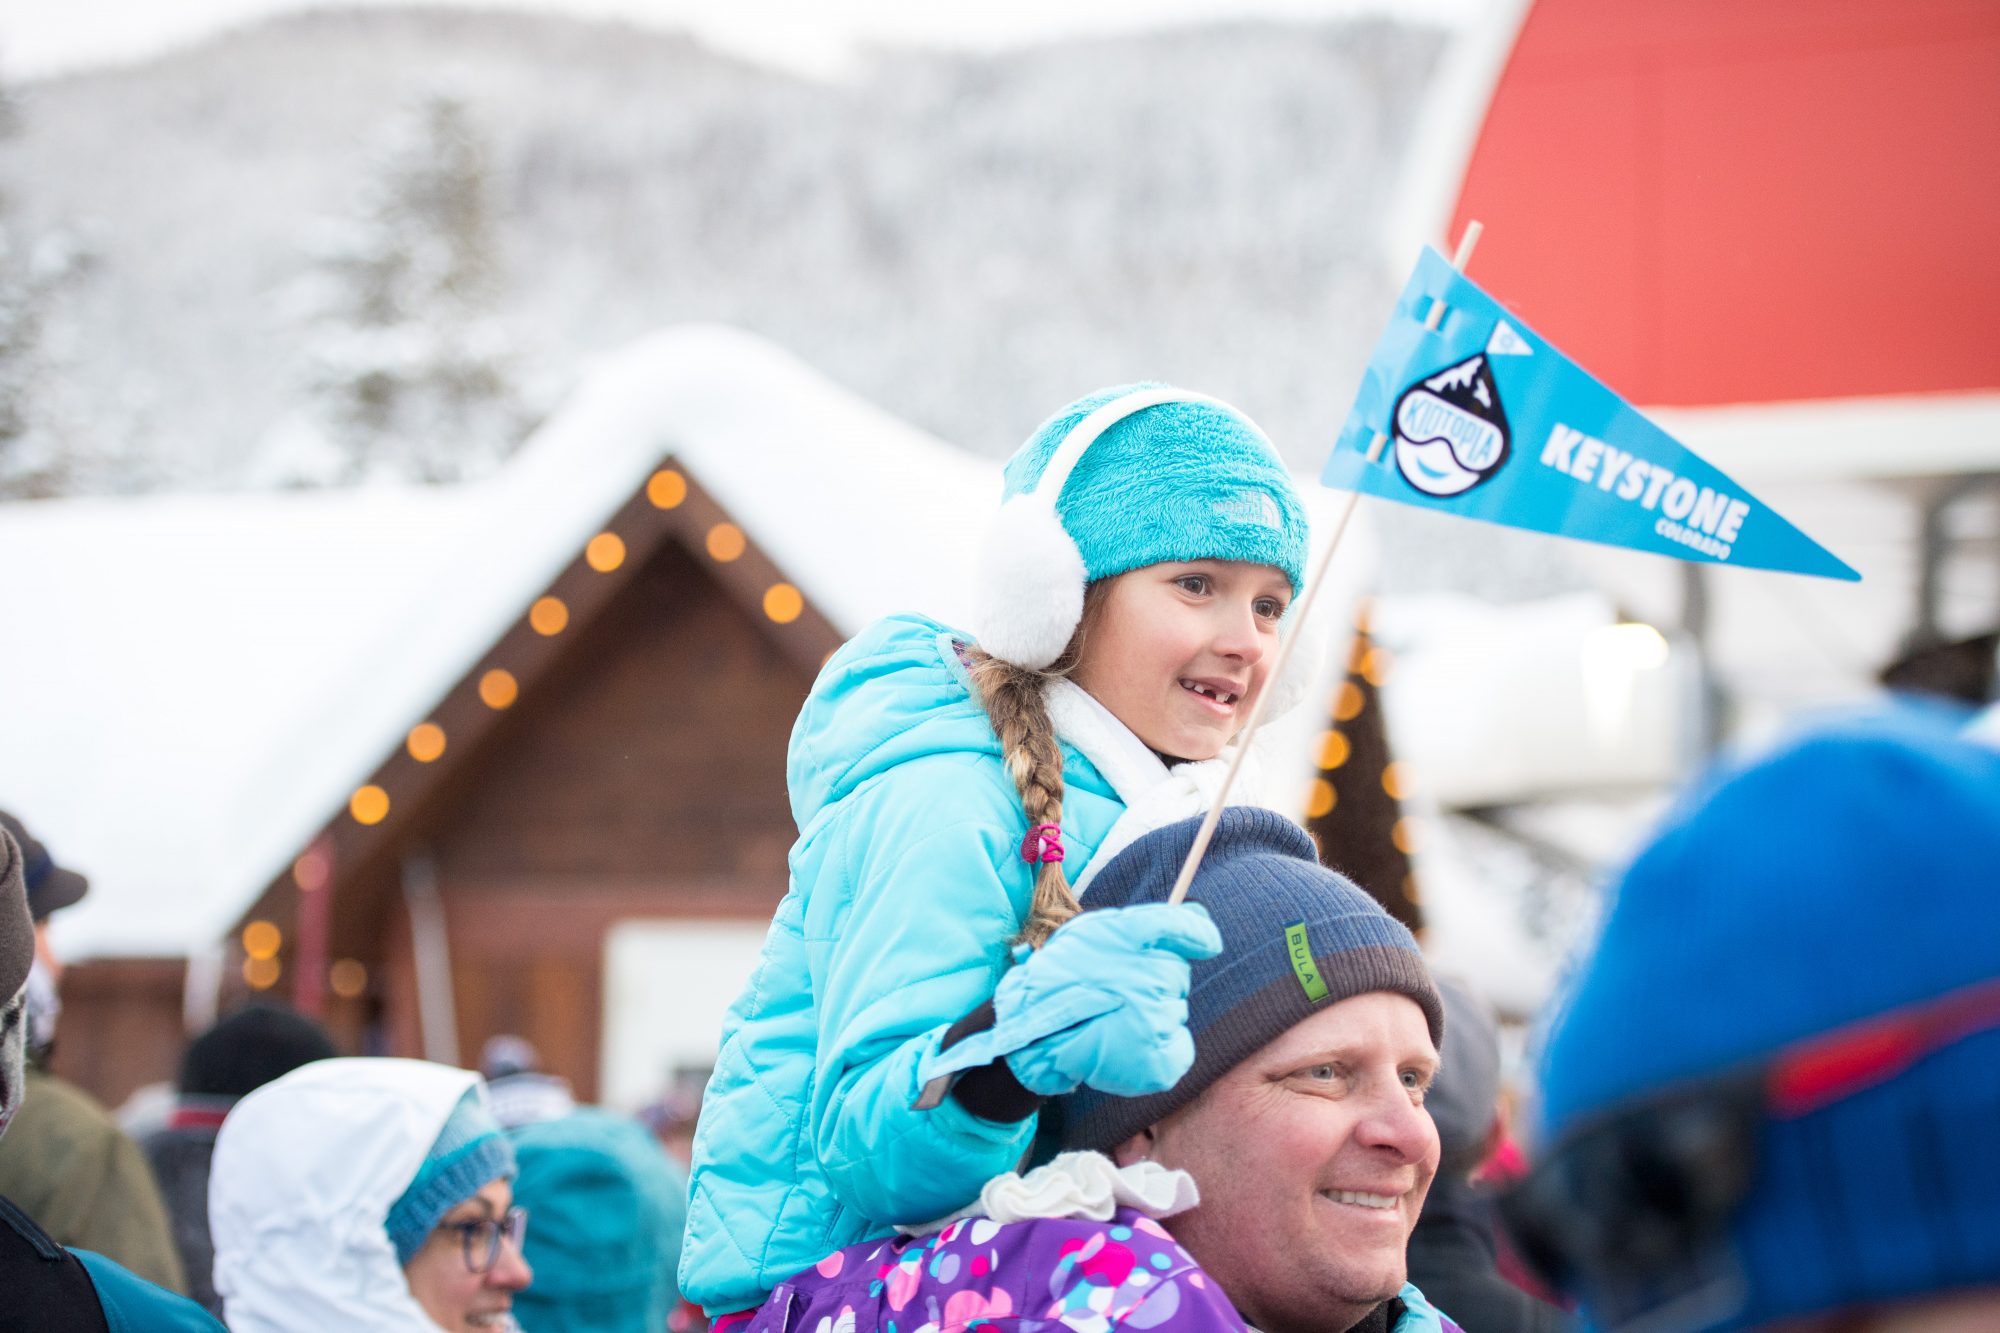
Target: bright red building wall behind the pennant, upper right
{"type": "Point", "coordinates": [1751, 201]}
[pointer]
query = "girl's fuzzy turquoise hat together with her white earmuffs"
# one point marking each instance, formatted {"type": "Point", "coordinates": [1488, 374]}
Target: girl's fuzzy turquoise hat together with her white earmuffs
{"type": "Point", "coordinates": [1123, 479]}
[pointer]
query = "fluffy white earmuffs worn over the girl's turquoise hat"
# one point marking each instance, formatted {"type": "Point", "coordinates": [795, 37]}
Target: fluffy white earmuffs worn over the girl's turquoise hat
{"type": "Point", "coordinates": [1031, 593]}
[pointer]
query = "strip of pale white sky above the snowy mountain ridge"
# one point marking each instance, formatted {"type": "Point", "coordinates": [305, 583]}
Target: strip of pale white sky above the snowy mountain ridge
{"type": "Point", "coordinates": [53, 37]}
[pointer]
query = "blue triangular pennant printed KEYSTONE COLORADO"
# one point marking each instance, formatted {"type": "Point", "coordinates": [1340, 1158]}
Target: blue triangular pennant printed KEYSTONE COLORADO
{"type": "Point", "coordinates": [1483, 417]}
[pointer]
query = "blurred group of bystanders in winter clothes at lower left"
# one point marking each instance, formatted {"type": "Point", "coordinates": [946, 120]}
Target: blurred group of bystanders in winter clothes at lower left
{"type": "Point", "coordinates": [285, 1186]}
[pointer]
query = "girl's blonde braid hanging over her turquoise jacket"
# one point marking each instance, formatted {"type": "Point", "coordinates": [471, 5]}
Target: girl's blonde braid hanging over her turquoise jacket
{"type": "Point", "coordinates": [1017, 702]}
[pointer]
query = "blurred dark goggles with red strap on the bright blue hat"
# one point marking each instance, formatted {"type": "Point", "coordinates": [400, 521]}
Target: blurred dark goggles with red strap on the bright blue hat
{"type": "Point", "coordinates": [1631, 1210]}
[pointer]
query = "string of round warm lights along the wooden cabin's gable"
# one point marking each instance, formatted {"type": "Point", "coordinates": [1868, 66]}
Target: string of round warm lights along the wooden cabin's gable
{"type": "Point", "coordinates": [499, 690]}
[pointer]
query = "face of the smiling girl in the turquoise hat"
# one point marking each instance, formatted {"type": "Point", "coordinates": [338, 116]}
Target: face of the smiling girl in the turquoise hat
{"type": "Point", "coordinates": [1181, 651]}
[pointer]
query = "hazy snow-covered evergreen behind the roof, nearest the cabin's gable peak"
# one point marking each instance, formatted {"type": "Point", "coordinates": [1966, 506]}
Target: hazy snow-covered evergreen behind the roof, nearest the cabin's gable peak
{"type": "Point", "coordinates": [407, 359]}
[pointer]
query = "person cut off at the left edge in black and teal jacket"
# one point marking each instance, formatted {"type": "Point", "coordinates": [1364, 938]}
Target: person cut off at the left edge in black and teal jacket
{"type": "Point", "coordinates": [47, 1288]}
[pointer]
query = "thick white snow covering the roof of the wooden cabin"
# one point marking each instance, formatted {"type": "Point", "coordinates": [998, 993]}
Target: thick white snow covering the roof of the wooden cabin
{"type": "Point", "coordinates": [201, 682]}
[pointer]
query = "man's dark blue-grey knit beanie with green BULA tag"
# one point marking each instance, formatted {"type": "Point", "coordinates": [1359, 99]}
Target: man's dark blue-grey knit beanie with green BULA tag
{"type": "Point", "coordinates": [1297, 938]}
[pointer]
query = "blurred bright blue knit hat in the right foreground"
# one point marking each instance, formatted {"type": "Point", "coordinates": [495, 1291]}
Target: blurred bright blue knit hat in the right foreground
{"type": "Point", "coordinates": [1845, 876]}
